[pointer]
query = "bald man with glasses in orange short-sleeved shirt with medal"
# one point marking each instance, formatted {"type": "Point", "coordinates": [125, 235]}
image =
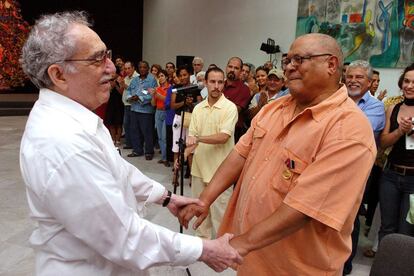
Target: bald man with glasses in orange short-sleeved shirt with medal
{"type": "Point", "coordinates": [293, 207]}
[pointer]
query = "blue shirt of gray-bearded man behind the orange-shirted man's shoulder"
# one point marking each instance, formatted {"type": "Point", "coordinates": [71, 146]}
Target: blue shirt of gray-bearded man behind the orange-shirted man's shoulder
{"type": "Point", "coordinates": [375, 111]}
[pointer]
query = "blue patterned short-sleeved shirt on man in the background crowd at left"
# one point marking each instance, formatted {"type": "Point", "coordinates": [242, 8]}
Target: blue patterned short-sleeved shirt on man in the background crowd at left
{"type": "Point", "coordinates": [139, 87]}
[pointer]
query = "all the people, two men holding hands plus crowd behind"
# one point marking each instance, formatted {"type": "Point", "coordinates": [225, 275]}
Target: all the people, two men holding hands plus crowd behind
{"type": "Point", "coordinates": [282, 161]}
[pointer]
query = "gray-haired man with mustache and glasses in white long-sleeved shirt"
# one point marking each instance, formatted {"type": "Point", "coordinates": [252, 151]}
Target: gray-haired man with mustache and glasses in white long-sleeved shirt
{"type": "Point", "coordinates": [87, 199]}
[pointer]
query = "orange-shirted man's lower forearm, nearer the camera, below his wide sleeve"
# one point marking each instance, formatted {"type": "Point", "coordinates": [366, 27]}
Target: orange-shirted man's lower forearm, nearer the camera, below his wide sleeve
{"type": "Point", "coordinates": [280, 224]}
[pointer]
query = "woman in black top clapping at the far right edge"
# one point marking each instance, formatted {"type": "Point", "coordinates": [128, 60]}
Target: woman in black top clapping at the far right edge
{"type": "Point", "coordinates": [397, 181]}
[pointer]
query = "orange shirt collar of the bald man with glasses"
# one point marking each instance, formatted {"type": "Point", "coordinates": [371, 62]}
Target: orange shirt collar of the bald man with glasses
{"type": "Point", "coordinates": [323, 108]}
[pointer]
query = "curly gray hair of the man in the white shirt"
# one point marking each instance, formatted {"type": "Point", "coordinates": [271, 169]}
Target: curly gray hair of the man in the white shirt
{"type": "Point", "coordinates": [49, 43]}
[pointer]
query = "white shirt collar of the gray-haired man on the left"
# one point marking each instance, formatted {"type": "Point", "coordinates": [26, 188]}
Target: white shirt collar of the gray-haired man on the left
{"type": "Point", "coordinates": [78, 112]}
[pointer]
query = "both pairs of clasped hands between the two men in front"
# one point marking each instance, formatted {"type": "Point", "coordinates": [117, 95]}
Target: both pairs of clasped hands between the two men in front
{"type": "Point", "coordinates": [219, 254]}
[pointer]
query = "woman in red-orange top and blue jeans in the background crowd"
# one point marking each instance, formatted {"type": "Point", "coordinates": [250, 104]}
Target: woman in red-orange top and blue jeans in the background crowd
{"type": "Point", "coordinates": [157, 101]}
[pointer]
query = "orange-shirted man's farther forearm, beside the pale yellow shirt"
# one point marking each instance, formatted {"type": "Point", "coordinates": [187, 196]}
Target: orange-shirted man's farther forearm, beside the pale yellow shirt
{"type": "Point", "coordinates": [225, 176]}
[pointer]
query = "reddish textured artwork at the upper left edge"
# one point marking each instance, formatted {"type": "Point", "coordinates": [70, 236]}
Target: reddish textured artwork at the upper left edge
{"type": "Point", "coordinates": [13, 33]}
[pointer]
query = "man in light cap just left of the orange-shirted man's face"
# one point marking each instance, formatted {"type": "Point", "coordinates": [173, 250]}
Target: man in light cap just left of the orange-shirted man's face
{"type": "Point", "coordinates": [274, 83]}
